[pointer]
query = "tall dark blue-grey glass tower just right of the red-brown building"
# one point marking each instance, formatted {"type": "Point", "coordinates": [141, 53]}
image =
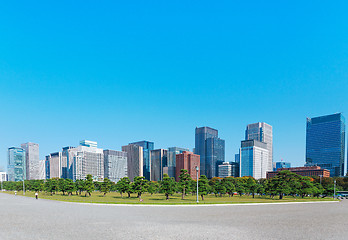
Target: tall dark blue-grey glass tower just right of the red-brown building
{"type": "Point", "coordinates": [211, 150]}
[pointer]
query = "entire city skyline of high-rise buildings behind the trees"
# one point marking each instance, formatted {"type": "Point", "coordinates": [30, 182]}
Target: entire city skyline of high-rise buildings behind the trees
{"type": "Point", "coordinates": [325, 156]}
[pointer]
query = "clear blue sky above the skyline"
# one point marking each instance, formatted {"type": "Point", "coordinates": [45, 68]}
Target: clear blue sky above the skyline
{"type": "Point", "coordinates": [123, 72]}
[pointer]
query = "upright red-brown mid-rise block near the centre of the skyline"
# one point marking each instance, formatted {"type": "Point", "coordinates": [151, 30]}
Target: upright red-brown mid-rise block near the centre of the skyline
{"type": "Point", "coordinates": [189, 161]}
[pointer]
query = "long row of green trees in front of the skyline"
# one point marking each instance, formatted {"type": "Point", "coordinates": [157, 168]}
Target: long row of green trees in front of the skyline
{"type": "Point", "coordinates": [284, 183]}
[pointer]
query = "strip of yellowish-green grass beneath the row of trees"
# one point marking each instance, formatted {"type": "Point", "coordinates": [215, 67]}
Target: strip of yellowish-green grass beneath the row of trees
{"type": "Point", "coordinates": [159, 199]}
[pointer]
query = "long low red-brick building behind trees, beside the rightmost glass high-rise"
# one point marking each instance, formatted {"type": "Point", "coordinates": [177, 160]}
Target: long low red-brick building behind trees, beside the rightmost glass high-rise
{"type": "Point", "coordinates": [303, 171]}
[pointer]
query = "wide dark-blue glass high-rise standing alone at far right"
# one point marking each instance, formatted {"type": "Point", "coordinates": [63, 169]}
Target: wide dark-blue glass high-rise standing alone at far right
{"type": "Point", "coordinates": [325, 143]}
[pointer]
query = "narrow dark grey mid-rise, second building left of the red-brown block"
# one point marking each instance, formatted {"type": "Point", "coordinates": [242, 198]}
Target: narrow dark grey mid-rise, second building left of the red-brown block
{"type": "Point", "coordinates": [159, 158]}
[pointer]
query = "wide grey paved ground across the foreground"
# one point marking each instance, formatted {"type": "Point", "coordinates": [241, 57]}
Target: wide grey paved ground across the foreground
{"type": "Point", "coordinates": [27, 218]}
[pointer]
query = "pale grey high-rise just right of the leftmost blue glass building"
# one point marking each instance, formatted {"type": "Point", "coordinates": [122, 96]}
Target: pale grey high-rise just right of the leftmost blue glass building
{"type": "Point", "coordinates": [32, 160]}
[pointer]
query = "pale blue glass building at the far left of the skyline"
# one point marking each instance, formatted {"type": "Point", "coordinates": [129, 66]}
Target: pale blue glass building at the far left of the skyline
{"type": "Point", "coordinates": [16, 164]}
